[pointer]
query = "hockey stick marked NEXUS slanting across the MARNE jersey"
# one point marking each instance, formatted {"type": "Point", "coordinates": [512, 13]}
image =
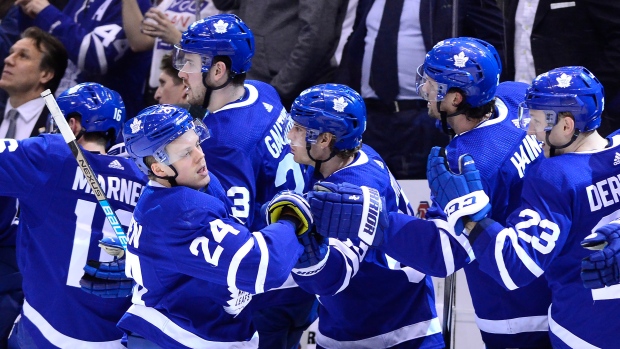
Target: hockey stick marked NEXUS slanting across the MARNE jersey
{"type": "Point", "coordinates": [91, 177]}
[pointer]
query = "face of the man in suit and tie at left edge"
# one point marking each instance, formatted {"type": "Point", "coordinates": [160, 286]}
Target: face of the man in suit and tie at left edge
{"type": "Point", "coordinates": [22, 68]}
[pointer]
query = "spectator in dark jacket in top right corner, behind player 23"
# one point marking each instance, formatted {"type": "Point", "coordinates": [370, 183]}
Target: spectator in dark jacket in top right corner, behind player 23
{"type": "Point", "coordinates": [545, 34]}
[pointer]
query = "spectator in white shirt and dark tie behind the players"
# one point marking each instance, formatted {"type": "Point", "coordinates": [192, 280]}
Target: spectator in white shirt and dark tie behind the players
{"type": "Point", "coordinates": [389, 41]}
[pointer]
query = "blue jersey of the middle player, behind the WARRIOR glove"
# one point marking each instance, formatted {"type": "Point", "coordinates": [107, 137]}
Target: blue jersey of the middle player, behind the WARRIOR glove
{"type": "Point", "coordinates": [362, 304]}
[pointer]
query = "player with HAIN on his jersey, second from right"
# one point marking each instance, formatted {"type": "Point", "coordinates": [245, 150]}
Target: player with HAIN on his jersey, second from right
{"type": "Point", "coordinates": [459, 78]}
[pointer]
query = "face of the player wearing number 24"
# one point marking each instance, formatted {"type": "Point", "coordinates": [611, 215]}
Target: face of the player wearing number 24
{"type": "Point", "coordinates": [188, 159]}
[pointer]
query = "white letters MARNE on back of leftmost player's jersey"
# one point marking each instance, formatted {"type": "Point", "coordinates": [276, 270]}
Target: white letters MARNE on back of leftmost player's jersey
{"type": "Point", "coordinates": [115, 188]}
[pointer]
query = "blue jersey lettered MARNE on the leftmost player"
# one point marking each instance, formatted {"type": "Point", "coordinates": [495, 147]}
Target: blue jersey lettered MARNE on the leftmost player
{"type": "Point", "coordinates": [61, 223]}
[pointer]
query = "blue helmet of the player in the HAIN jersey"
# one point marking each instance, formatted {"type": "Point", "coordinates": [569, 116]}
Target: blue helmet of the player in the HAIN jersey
{"type": "Point", "coordinates": [470, 64]}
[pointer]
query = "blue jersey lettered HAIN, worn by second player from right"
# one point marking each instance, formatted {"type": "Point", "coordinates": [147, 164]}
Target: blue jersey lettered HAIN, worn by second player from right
{"type": "Point", "coordinates": [502, 153]}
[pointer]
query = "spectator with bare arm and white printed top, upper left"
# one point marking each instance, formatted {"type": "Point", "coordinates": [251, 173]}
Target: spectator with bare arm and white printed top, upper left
{"type": "Point", "coordinates": [160, 28]}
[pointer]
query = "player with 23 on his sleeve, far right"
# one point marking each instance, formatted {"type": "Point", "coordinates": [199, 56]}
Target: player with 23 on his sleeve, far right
{"type": "Point", "coordinates": [565, 197]}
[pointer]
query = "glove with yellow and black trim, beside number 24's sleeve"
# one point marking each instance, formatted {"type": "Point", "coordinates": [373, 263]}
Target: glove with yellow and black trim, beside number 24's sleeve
{"type": "Point", "coordinates": [292, 205]}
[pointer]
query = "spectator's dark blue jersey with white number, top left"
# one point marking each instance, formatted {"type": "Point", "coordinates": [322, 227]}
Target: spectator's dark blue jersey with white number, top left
{"type": "Point", "coordinates": [92, 32]}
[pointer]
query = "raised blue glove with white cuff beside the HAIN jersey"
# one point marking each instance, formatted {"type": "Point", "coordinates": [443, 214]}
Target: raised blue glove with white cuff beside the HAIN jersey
{"type": "Point", "coordinates": [460, 195]}
